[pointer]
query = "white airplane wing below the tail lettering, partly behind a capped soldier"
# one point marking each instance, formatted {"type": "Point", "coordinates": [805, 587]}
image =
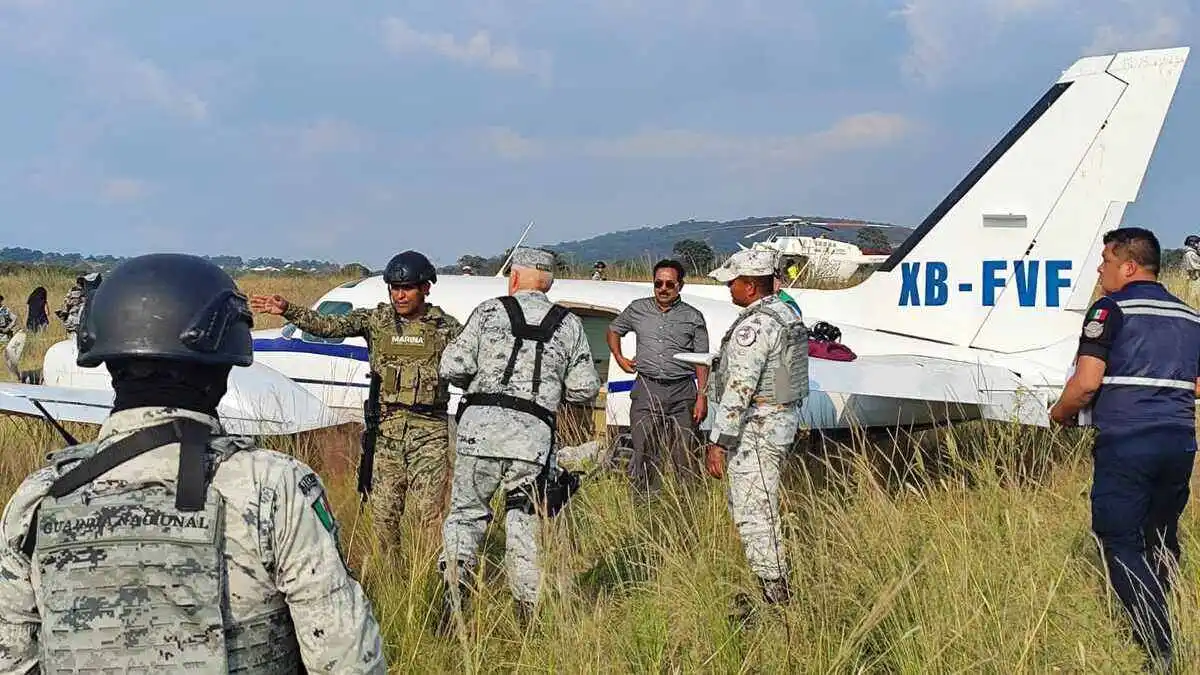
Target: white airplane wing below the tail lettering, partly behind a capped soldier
{"type": "Point", "coordinates": [871, 385]}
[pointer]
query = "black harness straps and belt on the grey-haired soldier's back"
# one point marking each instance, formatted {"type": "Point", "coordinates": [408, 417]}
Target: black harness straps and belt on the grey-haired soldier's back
{"type": "Point", "coordinates": [539, 334]}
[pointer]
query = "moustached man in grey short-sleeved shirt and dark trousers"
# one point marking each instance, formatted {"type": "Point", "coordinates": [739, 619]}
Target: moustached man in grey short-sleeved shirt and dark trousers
{"type": "Point", "coordinates": [667, 405]}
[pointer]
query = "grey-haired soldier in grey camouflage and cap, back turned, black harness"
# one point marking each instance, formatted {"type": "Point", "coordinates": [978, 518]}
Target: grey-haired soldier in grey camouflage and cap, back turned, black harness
{"type": "Point", "coordinates": [518, 359]}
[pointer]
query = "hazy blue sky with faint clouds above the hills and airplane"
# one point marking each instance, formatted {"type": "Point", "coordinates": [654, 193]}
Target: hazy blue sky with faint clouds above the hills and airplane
{"type": "Point", "coordinates": [352, 132]}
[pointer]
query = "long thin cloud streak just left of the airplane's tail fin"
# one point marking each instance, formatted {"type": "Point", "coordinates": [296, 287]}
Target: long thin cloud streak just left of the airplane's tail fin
{"type": "Point", "coordinates": [854, 133]}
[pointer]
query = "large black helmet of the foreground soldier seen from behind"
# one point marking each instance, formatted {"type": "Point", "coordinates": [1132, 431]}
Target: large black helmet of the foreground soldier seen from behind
{"type": "Point", "coordinates": [166, 307]}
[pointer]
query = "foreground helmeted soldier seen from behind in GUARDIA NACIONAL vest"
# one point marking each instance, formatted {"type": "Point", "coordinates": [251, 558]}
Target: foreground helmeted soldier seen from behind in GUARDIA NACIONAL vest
{"type": "Point", "coordinates": [166, 543]}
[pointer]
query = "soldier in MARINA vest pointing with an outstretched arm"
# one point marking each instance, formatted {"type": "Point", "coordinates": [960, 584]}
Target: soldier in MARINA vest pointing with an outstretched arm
{"type": "Point", "coordinates": [406, 338]}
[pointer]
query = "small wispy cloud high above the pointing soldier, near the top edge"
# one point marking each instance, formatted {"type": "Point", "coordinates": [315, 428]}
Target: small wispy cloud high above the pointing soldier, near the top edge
{"type": "Point", "coordinates": [479, 50]}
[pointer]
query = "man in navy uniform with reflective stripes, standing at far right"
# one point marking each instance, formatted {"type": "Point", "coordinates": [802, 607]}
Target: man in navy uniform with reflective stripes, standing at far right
{"type": "Point", "coordinates": [1137, 371]}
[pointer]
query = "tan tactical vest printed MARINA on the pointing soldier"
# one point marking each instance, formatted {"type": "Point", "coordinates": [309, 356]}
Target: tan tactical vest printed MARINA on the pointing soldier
{"type": "Point", "coordinates": [409, 366]}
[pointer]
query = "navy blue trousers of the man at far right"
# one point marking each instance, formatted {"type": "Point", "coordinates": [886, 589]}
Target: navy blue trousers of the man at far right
{"type": "Point", "coordinates": [1139, 491]}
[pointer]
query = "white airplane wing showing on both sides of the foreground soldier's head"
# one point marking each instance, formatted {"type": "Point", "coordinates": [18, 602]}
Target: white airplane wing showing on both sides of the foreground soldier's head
{"type": "Point", "coordinates": [260, 402]}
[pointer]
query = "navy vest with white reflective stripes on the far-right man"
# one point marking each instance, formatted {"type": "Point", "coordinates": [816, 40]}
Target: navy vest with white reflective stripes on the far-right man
{"type": "Point", "coordinates": [1151, 372]}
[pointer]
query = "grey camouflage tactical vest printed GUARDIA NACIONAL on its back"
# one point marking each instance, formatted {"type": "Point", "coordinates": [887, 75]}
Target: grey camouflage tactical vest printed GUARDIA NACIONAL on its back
{"type": "Point", "coordinates": [133, 578]}
